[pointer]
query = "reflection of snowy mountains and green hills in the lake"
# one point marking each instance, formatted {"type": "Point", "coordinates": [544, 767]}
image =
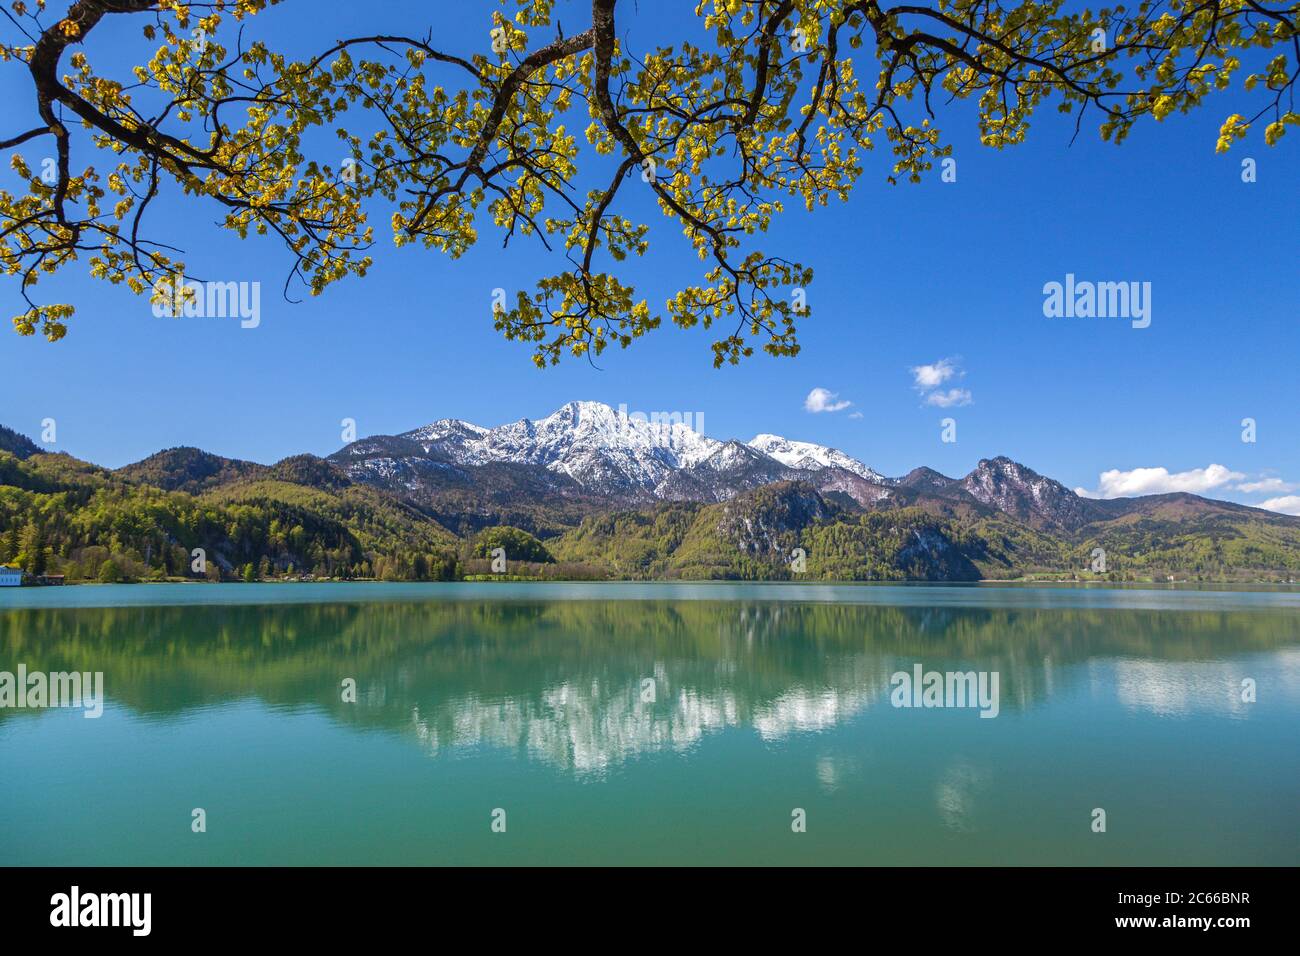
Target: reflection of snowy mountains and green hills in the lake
{"type": "Point", "coordinates": [588, 686]}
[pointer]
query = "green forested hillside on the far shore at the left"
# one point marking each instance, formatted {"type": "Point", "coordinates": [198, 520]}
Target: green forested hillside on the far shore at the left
{"type": "Point", "coordinates": [59, 516]}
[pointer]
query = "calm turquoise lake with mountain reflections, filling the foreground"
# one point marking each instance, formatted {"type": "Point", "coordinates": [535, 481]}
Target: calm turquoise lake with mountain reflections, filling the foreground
{"type": "Point", "coordinates": [652, 724]}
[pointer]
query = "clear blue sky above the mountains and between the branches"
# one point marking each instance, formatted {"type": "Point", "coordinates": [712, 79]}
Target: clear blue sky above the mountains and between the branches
{"type": "Point", "coordinates": [907, 276]}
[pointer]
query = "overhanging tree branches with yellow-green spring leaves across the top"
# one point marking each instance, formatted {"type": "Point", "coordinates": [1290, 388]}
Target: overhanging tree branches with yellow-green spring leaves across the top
{"type": "Point", "coordinates": [540, 133]}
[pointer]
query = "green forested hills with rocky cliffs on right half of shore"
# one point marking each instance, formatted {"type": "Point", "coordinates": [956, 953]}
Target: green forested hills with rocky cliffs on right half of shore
{"type": "Point", "coordinates": [757, 537]}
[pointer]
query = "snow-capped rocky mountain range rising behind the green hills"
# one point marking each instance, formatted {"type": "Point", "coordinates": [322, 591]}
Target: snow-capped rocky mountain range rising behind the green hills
{"type": "Point", "coordinates": [591, 453]}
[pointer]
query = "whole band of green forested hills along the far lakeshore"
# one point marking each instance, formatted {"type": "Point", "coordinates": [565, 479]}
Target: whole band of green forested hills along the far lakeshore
{"type": "Point", "coordinates": [305, 520]}
